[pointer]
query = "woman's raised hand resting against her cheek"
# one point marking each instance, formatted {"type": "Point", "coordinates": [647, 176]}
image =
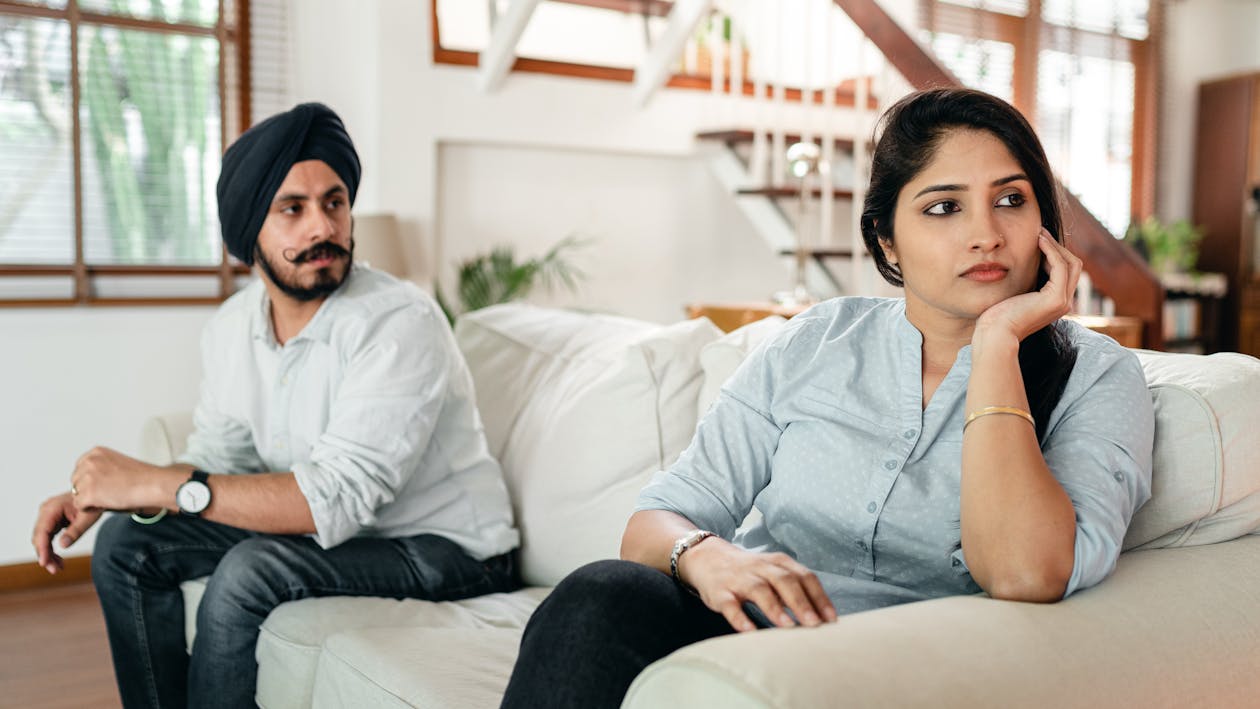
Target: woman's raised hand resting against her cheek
{"type": "Point", "coordinates": [1025, 314]}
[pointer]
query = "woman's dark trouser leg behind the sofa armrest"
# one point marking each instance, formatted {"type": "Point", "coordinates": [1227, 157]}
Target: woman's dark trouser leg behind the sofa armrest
{"type": "Point", "coordinates": [602, 627]}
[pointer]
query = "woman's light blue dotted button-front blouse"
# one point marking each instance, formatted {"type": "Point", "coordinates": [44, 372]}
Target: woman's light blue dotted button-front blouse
{"type": "Point", "coordinates": [823, 429]}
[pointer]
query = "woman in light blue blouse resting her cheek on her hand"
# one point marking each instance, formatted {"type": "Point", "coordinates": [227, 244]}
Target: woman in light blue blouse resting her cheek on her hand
{"type": "Point", "coordinates": [959, 440]}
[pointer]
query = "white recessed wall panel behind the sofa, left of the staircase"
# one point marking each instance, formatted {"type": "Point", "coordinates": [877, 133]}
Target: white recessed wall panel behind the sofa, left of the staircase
{"type": "Point", "coordinates": [660, 234]}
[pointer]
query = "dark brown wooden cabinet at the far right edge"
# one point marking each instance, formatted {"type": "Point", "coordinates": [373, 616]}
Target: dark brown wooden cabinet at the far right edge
{"type": "Point", "coordinates": [1227, 198]}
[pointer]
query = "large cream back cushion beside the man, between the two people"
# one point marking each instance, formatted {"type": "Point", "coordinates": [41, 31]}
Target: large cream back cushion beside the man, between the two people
{"type": "Point", "coordinates": [581, 411]}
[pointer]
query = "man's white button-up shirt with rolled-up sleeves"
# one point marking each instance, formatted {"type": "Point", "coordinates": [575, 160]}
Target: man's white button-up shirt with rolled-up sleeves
{"type": "Point", "coordinates": [371, 407]}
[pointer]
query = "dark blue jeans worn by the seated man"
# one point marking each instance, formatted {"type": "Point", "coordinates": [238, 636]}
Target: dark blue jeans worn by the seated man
{"type": "Point", "coordinates": [138, 571]}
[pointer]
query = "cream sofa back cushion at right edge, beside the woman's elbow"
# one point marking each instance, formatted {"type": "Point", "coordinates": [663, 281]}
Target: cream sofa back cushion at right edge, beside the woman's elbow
{"type": "Point", "coordinates": [1206, 484]}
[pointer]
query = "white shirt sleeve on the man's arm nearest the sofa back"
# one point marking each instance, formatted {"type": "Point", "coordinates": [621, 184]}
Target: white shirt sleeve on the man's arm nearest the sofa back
{"type": "Point", "coordinates": [384, 417]}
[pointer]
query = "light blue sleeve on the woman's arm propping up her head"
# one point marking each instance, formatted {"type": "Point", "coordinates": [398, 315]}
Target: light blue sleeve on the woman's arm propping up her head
{"type": "Point", "coordinates": [1102, 454]}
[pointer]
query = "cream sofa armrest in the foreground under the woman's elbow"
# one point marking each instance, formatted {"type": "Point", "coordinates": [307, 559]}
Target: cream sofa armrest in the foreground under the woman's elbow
{"type": "Point", "coordinates": [1172, 628]}
